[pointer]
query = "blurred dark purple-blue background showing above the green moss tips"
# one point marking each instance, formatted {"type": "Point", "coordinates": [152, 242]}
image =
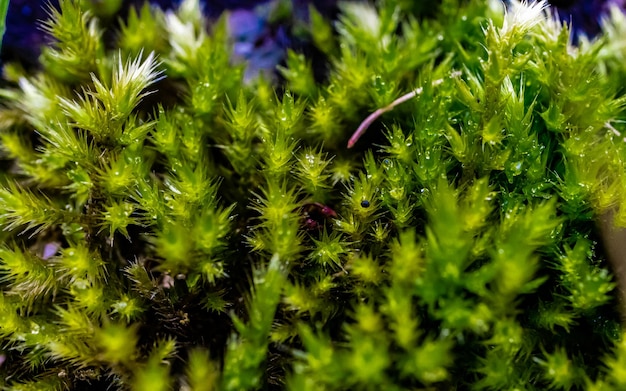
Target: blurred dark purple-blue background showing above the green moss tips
{"type": "Point", "coordinates": [257, 40]}
